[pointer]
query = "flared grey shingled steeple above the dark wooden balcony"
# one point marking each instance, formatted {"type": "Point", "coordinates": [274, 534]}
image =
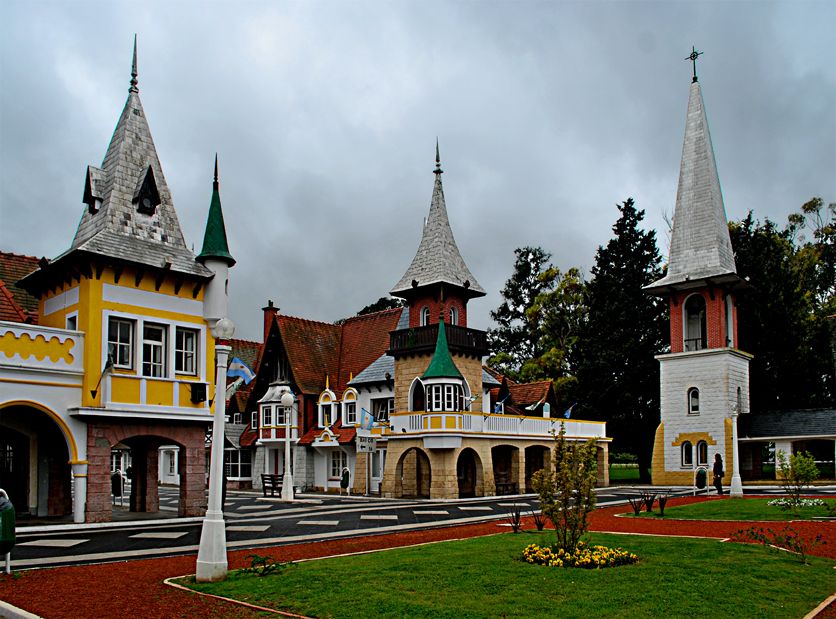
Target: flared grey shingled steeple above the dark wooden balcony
{"type": "Point", "coordinates": [438, 260]}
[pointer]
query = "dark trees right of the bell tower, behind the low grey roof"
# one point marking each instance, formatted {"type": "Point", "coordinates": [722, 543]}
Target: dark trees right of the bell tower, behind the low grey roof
{"type": "Point", "coordinates": [783, 313]}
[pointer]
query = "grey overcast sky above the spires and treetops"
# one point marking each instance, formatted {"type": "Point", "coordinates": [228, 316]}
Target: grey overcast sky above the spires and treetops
{"type": "Point", "coordinates": [325, 116]}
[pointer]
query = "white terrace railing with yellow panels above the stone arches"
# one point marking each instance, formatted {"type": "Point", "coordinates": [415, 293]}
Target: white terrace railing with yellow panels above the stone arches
{"type": "Point", "coordinates": [451, 423]}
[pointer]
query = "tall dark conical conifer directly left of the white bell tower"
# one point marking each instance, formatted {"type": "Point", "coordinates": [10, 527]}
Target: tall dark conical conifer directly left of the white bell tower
{"type": "Point", "coordinates": [618, 375]}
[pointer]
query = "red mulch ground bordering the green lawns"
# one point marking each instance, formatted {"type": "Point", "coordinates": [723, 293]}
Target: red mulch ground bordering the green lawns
{"type": "Point", "coordinates": [135, 588]}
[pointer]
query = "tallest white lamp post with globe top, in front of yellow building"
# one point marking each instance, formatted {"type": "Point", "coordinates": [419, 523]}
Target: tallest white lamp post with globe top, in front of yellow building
{"type": "Point", "coordinates": [211, 555]}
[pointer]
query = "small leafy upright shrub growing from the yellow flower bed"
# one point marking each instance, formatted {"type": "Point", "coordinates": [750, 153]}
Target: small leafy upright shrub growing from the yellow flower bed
{"type": "Point", "coordinates": [567, 492]}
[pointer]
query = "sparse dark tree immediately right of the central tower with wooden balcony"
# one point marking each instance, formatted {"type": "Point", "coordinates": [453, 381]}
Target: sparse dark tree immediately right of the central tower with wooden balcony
{"type": "Point", "coordinates": [514, 340]}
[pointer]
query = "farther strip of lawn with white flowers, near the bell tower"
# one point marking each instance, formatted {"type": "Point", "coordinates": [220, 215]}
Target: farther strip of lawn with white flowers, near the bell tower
{"type": "Point", "coordinates": [739, 509]}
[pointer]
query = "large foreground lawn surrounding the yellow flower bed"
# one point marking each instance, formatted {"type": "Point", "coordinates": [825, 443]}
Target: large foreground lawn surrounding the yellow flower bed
{"type": "Point", "coordinates": [483, 577]}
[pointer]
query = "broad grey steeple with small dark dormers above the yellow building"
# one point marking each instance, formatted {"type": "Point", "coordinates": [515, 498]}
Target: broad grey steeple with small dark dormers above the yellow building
{"type": "Point", "coordinates": [130, 214]}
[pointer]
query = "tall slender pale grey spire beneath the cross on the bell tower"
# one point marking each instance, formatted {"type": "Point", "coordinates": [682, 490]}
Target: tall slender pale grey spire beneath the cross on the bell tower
{"type": "Point", "coordinates": [700, 245]}
